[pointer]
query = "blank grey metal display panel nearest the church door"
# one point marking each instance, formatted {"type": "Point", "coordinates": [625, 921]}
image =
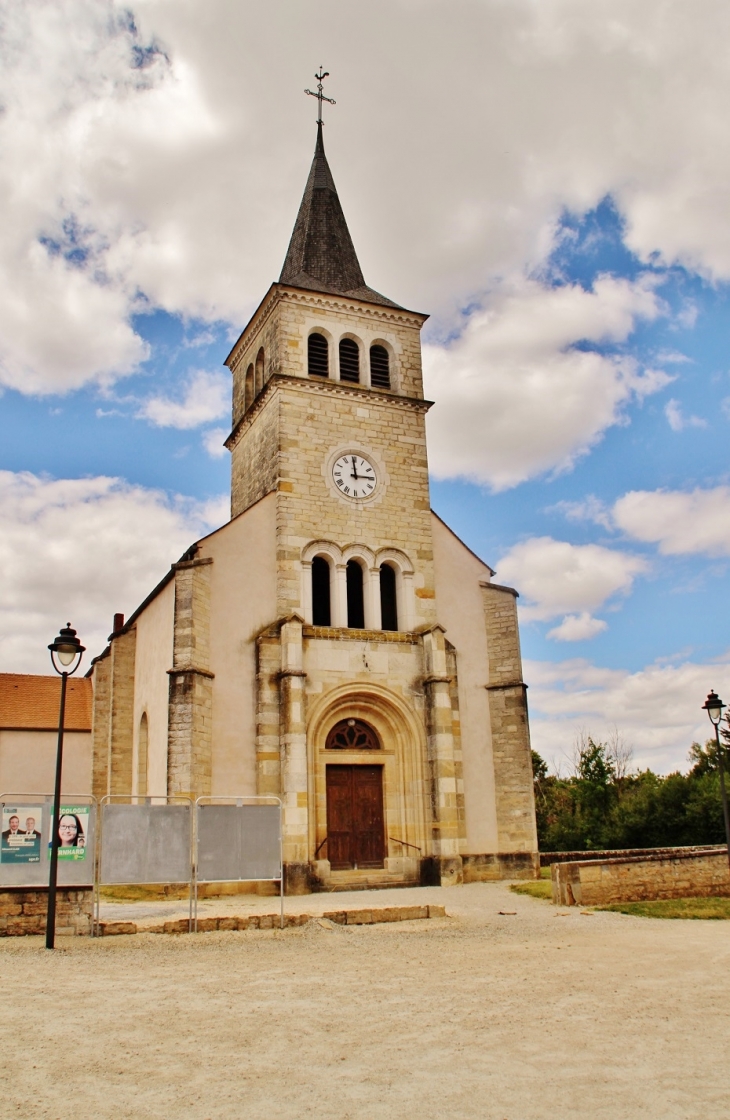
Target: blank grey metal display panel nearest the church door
{"type": "Point", "coordinates": [239, 843]}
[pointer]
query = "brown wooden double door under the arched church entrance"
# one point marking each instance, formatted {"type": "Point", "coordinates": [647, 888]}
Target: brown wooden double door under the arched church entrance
{"type": "Point", "coordinates": [355, 827]}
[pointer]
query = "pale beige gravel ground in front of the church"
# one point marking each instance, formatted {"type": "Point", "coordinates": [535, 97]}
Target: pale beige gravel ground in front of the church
{"type": "Point", "coordinates": [527, 1016]}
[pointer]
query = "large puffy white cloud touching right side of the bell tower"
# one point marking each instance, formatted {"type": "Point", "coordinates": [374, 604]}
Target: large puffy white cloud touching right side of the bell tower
{"type": "Point", "coordinates": [517, 396]}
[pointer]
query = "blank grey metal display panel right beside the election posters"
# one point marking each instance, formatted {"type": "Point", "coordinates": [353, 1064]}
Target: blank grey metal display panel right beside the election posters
{"type": "Point", "coordinates": [146, 844]}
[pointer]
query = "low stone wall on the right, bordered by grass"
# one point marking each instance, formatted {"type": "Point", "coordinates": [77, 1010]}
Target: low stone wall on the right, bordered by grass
{"type": "Point", "coordinates": [684, 875]}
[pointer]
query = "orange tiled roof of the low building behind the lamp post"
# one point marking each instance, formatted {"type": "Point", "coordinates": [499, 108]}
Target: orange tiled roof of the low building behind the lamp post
{"type": "Point", "coordinates": [32, 703]}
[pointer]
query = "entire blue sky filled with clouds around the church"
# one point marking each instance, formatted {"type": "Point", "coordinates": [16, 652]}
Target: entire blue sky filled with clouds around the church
{"type": "Point", "coordinates": [570, 242]}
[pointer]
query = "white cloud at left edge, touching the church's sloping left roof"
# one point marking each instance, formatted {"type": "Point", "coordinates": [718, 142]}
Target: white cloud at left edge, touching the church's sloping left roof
{"type": "Point", "coordinates": [83, 549]}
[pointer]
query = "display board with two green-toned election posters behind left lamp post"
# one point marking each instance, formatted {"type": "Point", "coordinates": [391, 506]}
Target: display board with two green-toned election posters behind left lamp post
{"type": "Point", "coordinates": [29, 865]}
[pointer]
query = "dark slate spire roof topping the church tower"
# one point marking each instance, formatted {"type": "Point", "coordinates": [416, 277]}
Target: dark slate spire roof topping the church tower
{"type": "Point", "coordinates": [321, 255]}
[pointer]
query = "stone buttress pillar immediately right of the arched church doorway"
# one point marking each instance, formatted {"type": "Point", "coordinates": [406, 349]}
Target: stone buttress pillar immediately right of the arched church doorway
{"type": "Point", "coordinates": [445, 802]}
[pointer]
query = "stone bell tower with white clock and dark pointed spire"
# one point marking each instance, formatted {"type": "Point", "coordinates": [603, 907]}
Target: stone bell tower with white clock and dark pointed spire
{"type": "Point", "coordinates": [329, 413]}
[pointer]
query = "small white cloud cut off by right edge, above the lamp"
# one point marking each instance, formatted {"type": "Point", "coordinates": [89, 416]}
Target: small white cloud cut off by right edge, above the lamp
{"type": "Point", "coordinates": [680, 522]}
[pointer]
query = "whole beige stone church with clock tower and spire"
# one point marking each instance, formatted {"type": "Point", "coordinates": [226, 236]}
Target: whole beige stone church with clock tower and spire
{"type": "Point", "coordinates": [334, 645]}
